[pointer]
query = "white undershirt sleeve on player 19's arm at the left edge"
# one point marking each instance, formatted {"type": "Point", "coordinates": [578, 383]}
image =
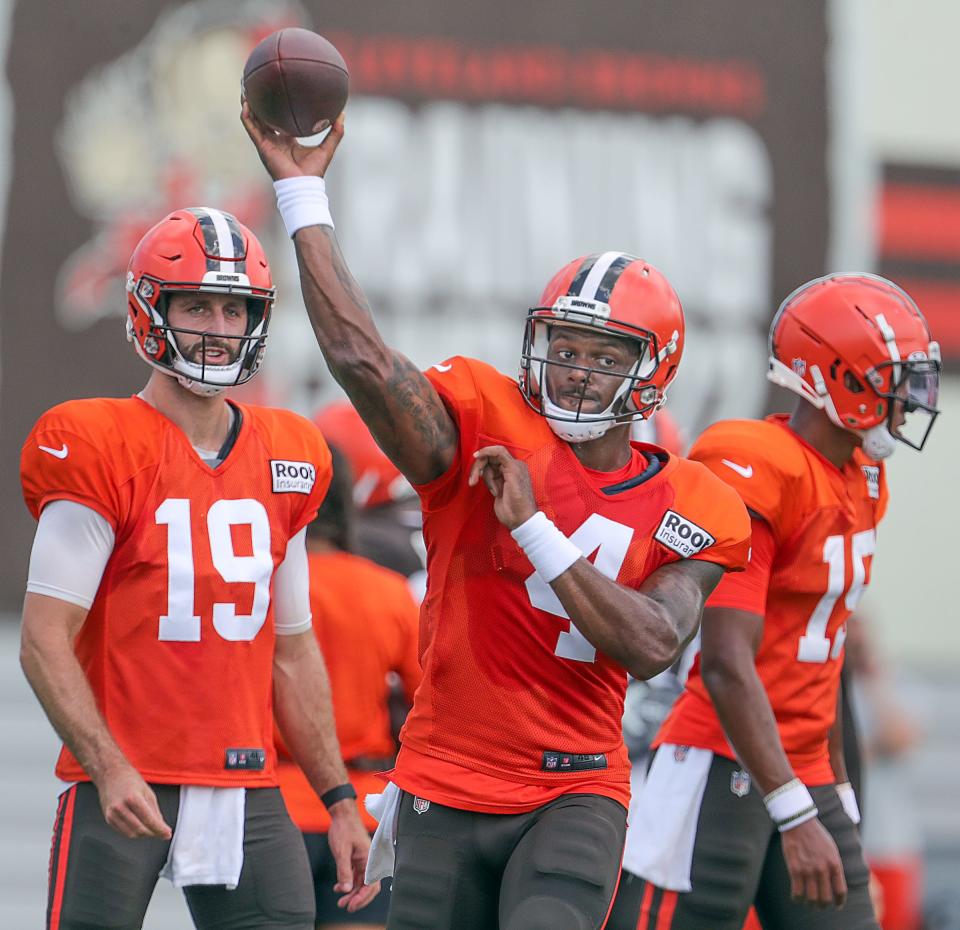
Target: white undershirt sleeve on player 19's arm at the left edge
{"type": "Point", "coordinates": [70, 551]}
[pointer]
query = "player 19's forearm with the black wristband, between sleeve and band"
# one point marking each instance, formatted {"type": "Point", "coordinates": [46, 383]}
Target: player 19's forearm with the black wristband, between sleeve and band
{"type": "Point", "coordinates": [304, 712]}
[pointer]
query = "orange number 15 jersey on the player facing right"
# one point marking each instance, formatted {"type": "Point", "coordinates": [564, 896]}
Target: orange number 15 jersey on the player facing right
{"type": "Point", "coordinates": [823, 522]}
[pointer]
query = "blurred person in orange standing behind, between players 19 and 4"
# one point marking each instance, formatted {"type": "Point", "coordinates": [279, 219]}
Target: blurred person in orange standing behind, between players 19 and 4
{"type": "Point", "coordinates": [366, 622]}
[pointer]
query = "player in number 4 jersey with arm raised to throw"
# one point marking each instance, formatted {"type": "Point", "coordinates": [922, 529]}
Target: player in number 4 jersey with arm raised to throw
{"type": "Point", "coordinates": [508, 800]}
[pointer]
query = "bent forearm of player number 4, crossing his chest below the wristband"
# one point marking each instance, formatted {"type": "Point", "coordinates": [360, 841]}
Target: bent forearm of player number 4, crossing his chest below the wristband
{"type": "Point", "coordinates": [629, 627]}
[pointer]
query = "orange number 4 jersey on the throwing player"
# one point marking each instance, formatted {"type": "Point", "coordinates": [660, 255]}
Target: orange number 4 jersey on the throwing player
{"type": "Point", "coordinates": [511, 690]}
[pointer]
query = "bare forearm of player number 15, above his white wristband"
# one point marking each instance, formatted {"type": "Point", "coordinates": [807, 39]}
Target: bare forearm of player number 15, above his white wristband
{"type": "Point", "coordinates": [748, 720]}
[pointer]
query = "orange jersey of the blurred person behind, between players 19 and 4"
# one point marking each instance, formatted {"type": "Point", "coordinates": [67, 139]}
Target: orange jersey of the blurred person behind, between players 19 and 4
{"type": "Point", "coordinates": [367, 623]}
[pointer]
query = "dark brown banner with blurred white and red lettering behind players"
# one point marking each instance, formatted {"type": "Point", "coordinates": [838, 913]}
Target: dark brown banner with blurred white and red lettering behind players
{"type": "Point", "coordinates": [486, 146]}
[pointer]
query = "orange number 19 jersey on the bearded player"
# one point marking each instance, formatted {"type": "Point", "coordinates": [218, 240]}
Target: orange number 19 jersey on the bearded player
{"type": "Point", "coordinates": [178, 644]}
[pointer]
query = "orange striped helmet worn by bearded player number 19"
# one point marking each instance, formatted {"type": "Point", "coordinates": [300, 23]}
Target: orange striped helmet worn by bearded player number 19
{"type": "Point", "coordinates": [198, 249]}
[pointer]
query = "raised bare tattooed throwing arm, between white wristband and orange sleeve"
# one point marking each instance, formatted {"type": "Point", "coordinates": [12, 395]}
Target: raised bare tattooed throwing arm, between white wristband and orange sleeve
{"type": "Point", "coordinates": [398, 404]}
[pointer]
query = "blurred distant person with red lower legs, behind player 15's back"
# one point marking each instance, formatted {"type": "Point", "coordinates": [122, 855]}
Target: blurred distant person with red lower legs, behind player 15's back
{"type": "Point", "coordinates": [892, 840]}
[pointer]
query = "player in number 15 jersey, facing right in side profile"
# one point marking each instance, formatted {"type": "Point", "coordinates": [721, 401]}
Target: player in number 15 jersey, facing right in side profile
{"type": "Point", "coordinates": [747, 800]}
